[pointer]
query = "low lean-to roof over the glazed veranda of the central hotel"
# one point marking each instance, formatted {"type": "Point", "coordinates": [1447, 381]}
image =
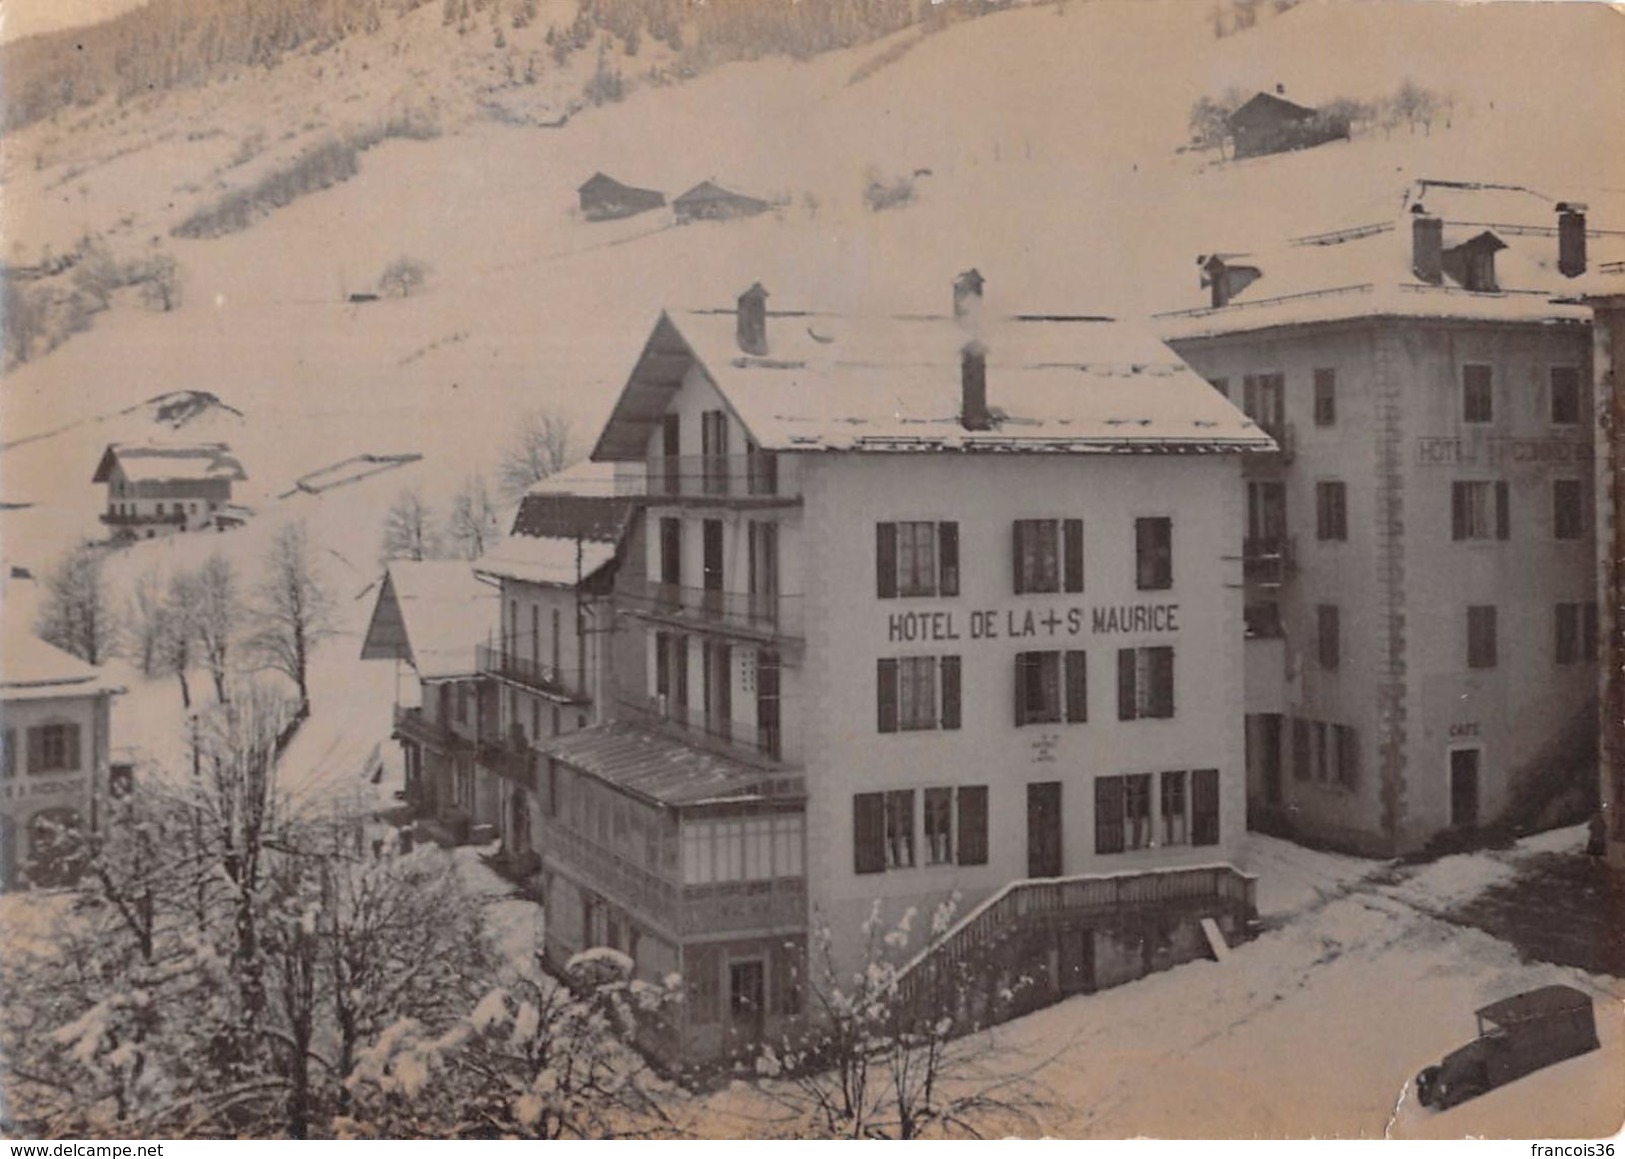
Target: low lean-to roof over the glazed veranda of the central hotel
{"type": "Point", "coordinates": [657, 768]}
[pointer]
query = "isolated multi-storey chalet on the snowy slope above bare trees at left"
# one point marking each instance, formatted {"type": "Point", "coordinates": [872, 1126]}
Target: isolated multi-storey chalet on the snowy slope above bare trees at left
{"type": "Point", "coordinates": [165, 488]}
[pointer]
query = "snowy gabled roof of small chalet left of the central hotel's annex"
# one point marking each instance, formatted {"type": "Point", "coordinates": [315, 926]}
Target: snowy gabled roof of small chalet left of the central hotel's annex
{"type": "Point", "coordinates": [433, 614]}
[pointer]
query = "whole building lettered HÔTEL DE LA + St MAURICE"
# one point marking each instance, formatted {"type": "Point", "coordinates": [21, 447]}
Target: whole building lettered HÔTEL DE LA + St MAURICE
{"type": "Point", "coordinates": [930, 607]}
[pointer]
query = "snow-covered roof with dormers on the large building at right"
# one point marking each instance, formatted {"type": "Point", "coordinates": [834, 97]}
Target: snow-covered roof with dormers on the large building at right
{"type": "Point", "coordinates": [1367, 271]}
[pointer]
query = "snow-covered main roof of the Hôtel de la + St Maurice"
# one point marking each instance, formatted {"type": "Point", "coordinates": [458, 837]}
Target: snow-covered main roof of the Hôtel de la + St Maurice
{"type": "Point", "coordinates": [882, 384]}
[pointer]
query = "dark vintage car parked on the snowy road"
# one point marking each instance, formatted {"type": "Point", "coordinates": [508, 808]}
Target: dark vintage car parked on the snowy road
{"type": "Point", "coordinates": [1517, 1036]}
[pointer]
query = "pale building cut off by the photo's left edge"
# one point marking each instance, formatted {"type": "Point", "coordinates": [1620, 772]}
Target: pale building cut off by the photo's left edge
{"type": "Point", "coordinates": [56, 716]}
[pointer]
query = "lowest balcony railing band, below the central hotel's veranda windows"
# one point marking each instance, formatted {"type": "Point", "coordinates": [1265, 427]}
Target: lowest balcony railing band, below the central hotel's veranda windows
{"type": "Point", "coordinates": [680, 909]}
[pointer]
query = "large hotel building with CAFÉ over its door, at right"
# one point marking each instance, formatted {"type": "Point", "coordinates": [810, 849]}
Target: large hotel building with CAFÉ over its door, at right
{"type": "Point", "coordinates": [1421, 560]}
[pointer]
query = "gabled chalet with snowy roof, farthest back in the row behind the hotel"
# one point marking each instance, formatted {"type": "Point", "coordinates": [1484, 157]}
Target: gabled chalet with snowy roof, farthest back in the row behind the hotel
{"type": "Point", "coordinates": [431, 617]}
